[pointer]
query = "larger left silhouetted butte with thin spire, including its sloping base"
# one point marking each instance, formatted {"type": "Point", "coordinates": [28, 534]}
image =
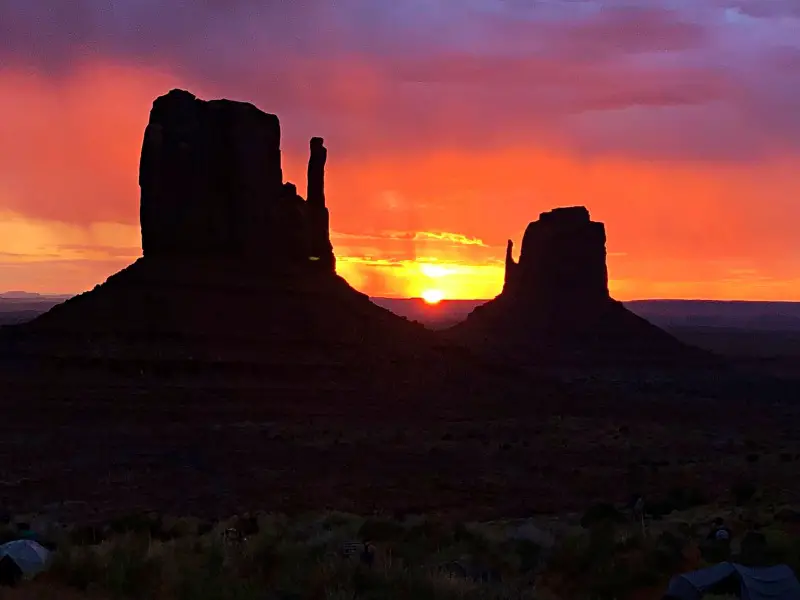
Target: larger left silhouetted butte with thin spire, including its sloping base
{"type": "Point", "coordinates": [236, 266]}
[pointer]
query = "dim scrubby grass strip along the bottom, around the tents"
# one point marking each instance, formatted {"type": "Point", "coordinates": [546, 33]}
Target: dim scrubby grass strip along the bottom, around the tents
{"type": "Point", "coordinates": [299, 559]}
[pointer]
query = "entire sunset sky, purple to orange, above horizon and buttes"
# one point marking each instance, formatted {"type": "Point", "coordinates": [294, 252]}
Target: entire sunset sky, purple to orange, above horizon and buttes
{"type": "Point", "coordinates": [450, 125]}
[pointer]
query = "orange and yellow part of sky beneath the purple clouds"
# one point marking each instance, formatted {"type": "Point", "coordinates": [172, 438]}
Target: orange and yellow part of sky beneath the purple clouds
{"type": "Point", "coordinates": [410, 211]}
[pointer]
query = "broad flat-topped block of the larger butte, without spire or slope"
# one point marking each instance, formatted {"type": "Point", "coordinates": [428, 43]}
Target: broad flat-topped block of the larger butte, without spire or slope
{"type": "Point", "coordinates": [210, 178]}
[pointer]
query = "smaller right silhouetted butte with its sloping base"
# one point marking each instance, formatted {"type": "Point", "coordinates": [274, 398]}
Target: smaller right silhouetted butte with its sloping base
{"type": "Point", "coordinates": [555, 304]}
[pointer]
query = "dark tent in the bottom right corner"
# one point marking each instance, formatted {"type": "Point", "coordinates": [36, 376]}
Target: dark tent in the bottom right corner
{"type": "Point", "coordinates": [748, 583]}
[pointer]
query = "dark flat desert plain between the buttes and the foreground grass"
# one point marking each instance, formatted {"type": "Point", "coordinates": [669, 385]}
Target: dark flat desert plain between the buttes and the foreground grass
{"type": "Point", "coordinates": [84, 445]}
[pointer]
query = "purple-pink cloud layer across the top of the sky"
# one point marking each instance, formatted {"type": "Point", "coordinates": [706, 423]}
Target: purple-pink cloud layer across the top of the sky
{"type": "Point", "coordinates": [467, 73]}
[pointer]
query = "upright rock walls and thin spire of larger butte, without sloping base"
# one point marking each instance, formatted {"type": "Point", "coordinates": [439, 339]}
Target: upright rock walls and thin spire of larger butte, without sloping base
{"type": "Point", "coordinates": [212, 185]}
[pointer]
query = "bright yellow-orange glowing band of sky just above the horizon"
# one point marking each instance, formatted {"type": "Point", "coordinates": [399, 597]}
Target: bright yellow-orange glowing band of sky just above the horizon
{"type": "Point", "coordinates": [116, 246]}
